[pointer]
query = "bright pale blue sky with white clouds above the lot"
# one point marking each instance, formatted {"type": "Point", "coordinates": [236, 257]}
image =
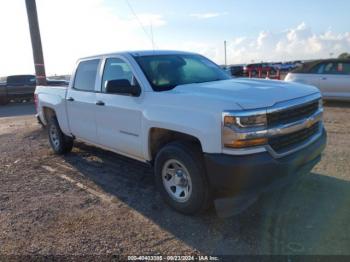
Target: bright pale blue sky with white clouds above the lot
{"type": "Point", "coordinates": [255, 30]}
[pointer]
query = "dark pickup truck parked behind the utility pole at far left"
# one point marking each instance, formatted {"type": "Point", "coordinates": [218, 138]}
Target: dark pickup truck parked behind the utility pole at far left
{"type": "Point", "coordinates": [21, 87]}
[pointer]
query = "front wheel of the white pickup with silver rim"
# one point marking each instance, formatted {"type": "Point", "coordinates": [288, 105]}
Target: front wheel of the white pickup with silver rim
{"type": "Point", "coordinates": [181, 179]}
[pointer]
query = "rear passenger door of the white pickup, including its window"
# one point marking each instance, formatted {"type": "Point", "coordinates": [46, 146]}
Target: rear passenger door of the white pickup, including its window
{"type": "Point", "coordinates": [81, 101]}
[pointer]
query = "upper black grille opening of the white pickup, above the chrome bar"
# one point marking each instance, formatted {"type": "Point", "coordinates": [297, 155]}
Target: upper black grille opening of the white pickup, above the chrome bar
{"type": "Point", "coordinates": [292, 115]}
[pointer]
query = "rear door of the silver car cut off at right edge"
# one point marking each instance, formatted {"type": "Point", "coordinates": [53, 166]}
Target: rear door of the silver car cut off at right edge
{"type": "Point", "coordinates": [335, 80]}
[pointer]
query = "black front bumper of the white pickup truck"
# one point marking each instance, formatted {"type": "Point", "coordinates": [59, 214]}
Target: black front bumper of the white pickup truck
{"type": "Point", "coordinates": [246, 177]}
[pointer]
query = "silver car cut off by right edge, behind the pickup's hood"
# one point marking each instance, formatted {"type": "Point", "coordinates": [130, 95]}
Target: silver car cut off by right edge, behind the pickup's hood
{"type": "Point", "coordinates": [331, 76]}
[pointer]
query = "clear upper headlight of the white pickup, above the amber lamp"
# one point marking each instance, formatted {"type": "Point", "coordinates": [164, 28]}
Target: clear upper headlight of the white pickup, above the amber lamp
{"type": "Point", "coordinates": [245, 121]}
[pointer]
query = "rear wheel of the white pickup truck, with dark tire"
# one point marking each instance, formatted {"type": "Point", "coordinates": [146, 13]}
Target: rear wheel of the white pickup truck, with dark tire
{"type": "Point", "coordinates": [60, 143]}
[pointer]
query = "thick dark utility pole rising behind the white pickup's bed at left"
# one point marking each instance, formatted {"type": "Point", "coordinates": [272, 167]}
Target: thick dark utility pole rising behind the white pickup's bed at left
{"type": "Point", "coordinates": [36, 42]}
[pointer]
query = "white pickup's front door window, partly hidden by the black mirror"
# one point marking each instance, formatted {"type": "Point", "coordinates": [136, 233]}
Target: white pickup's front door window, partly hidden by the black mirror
{"type": "Point", "coordinates": [116, 69]}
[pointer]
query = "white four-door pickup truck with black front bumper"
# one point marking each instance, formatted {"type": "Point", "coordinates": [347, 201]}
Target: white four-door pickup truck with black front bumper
{"type": "Point", "coordinates": [208, 136]}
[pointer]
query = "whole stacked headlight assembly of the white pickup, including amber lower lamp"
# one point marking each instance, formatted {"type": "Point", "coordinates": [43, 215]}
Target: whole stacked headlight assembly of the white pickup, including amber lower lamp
{"type": "Point", "coordinates": [234, 125]}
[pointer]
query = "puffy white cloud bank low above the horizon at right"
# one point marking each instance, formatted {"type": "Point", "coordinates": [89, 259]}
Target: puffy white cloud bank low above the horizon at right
{"type": "Point", "coordinates": [299, 42]}
